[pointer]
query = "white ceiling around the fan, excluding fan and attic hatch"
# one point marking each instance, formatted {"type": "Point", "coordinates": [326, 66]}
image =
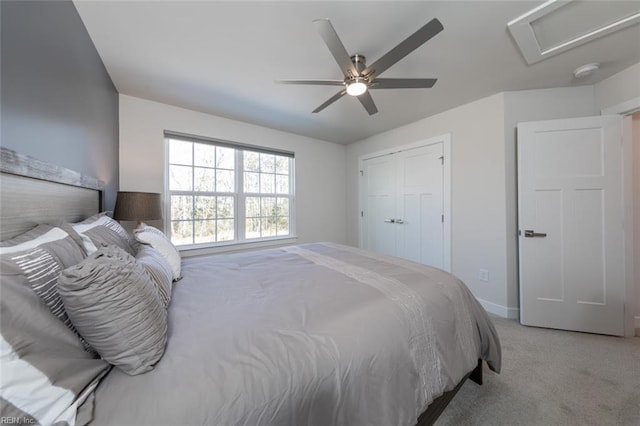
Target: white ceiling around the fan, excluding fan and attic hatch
{"type": "Point", "coordinates": [222, 58]}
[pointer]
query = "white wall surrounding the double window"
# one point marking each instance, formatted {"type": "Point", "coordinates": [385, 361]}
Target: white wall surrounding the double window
{"type": "Point", "coordinates": [320, 166]}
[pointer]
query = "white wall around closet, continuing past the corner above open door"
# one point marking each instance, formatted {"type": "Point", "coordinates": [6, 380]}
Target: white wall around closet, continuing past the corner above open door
{"type": "Point", "coordinates": [484, 181]}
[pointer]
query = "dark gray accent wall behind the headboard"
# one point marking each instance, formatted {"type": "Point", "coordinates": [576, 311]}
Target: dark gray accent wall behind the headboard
{"type": "Point", "coordinates": [58, 102]}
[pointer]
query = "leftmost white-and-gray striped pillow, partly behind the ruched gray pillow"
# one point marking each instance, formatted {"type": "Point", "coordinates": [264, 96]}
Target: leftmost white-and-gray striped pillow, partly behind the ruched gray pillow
{"type": "Point", "coordinates": [35, 259]}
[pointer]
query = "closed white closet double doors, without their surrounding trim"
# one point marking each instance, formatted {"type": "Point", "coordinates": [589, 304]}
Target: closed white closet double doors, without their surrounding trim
{"type": "Point", "coordinates": [403, 205]}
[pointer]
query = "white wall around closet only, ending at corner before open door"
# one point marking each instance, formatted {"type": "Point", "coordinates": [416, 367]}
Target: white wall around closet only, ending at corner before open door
{"type": "Point", "coordinates": [478, 239]}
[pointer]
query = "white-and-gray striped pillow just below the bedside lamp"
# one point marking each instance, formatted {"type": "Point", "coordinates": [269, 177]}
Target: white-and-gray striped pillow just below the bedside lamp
{"type": "Point", "coordinates": [99, 230]}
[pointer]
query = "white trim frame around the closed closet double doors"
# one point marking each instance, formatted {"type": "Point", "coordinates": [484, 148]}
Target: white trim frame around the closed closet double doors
{"type": "Point", "coordinates": [446, 187]}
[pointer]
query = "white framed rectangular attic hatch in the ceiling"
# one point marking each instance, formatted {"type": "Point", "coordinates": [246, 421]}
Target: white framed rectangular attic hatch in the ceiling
{"type": "Point", "coordinates": [557, 26]}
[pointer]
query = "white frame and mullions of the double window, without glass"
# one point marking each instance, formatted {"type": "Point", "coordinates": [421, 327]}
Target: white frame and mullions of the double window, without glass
{"type": "Point", "coordinates": [240, 242]}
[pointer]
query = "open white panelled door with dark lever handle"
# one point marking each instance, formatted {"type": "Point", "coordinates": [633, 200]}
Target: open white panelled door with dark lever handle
{"type": "Point", "coordinates": [570, 214]}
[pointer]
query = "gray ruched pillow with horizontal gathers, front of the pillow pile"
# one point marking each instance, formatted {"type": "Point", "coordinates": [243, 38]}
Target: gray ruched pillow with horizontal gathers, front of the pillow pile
{"type": "Point", "coordinates": [112, 301]}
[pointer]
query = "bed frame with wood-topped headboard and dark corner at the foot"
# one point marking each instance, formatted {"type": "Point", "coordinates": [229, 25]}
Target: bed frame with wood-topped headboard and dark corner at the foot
{"type": "Point", "coordinates": [34, 192]}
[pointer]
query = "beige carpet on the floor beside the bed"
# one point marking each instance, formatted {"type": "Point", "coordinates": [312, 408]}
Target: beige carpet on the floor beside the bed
{"type": "Point", "coordinates": [552, 377]}
